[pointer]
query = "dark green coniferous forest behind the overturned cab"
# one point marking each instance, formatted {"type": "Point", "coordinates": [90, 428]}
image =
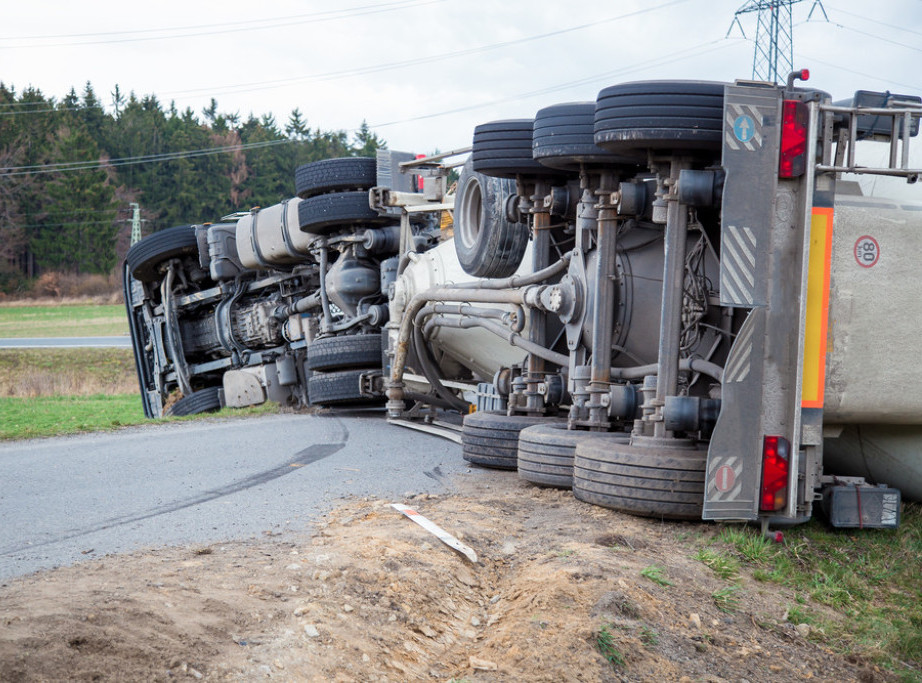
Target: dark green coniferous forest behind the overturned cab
{"type": "Point", "coordinates": [70, 168]}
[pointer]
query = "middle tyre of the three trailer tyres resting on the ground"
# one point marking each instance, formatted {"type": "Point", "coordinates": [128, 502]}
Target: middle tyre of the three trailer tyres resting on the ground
{"type": "Point", "coordinates": [545, 455]}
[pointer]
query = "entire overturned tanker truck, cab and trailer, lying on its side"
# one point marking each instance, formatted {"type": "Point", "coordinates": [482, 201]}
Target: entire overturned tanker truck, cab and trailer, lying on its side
{"type": "Point", "coordinates": [668, 300]}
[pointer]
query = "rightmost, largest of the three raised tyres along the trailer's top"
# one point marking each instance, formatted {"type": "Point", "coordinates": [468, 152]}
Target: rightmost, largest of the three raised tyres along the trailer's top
{"type": "Point", "coordinates": [676, 115]}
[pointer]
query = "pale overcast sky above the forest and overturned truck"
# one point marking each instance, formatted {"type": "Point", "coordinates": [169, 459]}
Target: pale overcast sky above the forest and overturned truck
{"type": "Point", "coordinates": [425, 72]}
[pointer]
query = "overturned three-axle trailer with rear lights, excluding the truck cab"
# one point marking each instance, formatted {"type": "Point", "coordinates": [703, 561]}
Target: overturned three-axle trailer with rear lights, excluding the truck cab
{"type": "Point", "coordinates": [701, 305]}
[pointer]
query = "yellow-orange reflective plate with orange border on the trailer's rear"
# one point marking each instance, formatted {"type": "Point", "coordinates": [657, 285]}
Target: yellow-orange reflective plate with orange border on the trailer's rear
{"type": "Point", "coordinates": [816, 325]}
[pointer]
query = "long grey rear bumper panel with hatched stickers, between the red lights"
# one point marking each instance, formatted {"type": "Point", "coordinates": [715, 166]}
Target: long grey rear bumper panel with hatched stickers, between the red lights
{"type": "Point", "coordinates": [765, 240]}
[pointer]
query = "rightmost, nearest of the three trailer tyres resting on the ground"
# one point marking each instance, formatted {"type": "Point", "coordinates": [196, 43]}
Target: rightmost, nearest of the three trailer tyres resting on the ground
{"type": "Point", "coordinates": [667, 483]}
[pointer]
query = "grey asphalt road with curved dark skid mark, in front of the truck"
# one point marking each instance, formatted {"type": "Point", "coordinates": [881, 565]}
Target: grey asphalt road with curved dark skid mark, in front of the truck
{"type": "Point", "coordinates": [68, 499]}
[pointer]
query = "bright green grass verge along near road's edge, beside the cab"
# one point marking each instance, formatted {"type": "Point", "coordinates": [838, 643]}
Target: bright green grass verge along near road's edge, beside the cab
{"type": "Point", "coordinates": [26, 418]}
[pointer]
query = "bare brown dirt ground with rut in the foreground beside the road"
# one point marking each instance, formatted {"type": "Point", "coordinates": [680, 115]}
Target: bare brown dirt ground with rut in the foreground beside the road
{"type": "Point", "coordinates": [562, 591]}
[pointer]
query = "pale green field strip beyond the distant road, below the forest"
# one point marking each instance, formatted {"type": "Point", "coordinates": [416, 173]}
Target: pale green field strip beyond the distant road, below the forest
{"type": "Point", "coordinates": [80, 320]}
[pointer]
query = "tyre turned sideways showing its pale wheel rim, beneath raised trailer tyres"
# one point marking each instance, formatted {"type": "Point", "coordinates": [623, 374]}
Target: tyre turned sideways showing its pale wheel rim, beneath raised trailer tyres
{"type": "Point", "coordinates": [487, 243]}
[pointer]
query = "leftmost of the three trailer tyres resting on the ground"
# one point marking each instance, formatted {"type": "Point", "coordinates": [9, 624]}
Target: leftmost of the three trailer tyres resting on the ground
{"type": "Point", "coordinates": [491, 439]}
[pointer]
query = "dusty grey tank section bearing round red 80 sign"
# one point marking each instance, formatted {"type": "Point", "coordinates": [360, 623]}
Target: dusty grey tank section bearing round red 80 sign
{"type": "Point", "coordinates": [873, 372]}
